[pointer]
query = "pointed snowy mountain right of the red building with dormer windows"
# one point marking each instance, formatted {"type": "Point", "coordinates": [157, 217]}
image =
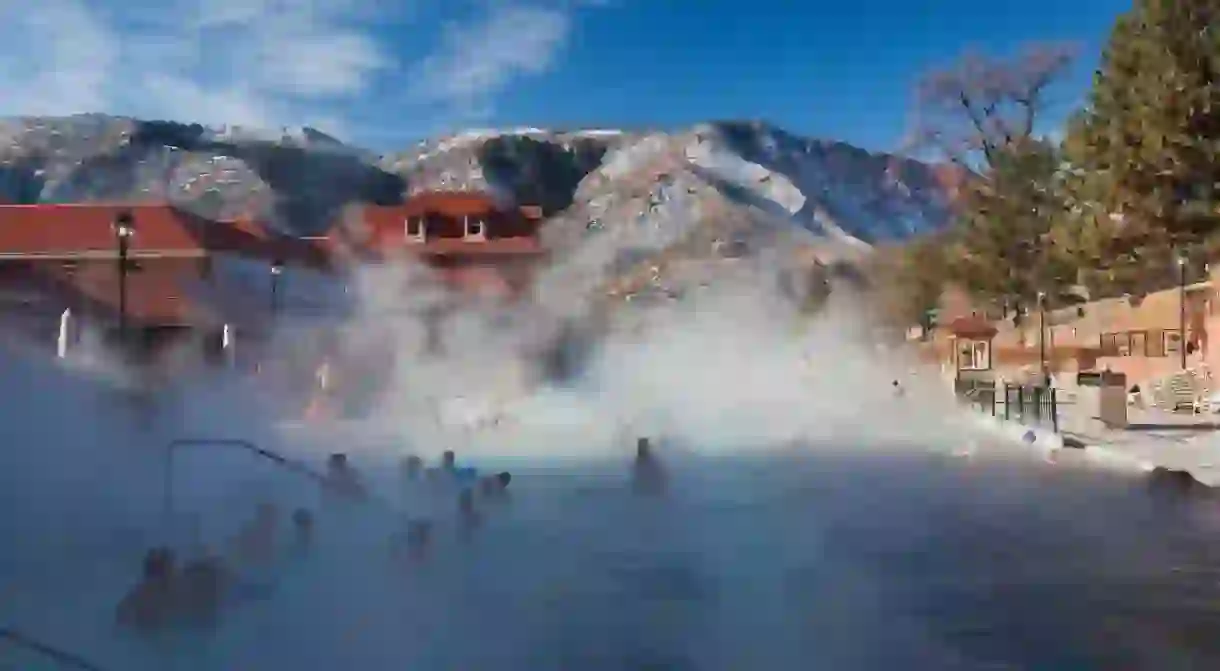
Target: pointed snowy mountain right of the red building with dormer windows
{"type": "Point", "coordinates": [666, 212]}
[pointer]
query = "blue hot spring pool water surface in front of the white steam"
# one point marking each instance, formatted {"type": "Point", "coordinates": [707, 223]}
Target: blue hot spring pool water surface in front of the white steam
{"type": "Point", "coordinates": [789, 562]}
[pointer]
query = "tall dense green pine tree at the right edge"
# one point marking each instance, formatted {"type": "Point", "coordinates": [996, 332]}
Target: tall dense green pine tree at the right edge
{"type": "Point", "coordinates": [1149, 146]}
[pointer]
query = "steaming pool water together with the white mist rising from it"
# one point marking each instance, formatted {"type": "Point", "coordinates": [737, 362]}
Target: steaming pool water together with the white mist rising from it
{"type": "Point", "coordinates": [816, 519]}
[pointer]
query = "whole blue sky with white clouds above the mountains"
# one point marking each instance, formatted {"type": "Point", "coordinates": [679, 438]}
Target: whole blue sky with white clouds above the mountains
{"type": "Point", "coordinates": [385, 73]}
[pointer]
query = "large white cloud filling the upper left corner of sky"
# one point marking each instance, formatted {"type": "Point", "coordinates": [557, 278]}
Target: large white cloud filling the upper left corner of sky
{"type": "Point", "coordinates": [209, 62]}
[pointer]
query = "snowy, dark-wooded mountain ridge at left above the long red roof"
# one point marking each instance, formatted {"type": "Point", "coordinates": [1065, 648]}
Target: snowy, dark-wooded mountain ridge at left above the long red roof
{"type": "Point", "coordinates": [293, 178]}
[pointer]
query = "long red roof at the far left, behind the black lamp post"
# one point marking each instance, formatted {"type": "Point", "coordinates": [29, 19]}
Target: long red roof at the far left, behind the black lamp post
{"type": "Point", "coordinates": [82, 229]}
